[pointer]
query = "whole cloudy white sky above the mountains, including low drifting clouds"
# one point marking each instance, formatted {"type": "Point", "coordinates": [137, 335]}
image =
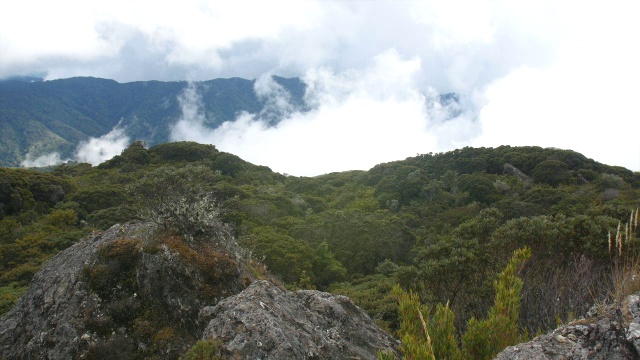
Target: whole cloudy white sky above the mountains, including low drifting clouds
{"type": "Point", "coordinates": [560, 74]}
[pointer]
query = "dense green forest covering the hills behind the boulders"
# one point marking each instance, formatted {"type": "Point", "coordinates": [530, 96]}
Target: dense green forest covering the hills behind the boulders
{"type": "Point", "coordinates": [441, 225]}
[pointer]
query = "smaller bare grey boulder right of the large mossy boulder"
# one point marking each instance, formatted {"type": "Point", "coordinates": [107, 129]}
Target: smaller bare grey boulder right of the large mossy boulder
{"type": "Point", "coordinates": [267, 322]}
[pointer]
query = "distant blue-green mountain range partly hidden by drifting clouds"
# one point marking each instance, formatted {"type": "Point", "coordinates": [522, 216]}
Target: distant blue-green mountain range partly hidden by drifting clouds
{"type": "Point", "coordinates": [39, 117]}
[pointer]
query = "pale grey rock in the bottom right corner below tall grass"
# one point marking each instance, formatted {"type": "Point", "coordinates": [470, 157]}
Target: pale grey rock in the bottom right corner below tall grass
{"type": "Point", "coordinates": [614, 335]}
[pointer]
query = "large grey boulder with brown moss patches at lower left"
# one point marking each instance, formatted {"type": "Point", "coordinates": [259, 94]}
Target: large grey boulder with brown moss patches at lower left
{"type": "Point", "coordinates": [119, 294]}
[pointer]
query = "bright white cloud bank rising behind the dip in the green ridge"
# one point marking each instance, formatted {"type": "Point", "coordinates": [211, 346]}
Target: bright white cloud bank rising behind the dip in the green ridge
{"type": "Point", "coordinates": [359, 119]}
